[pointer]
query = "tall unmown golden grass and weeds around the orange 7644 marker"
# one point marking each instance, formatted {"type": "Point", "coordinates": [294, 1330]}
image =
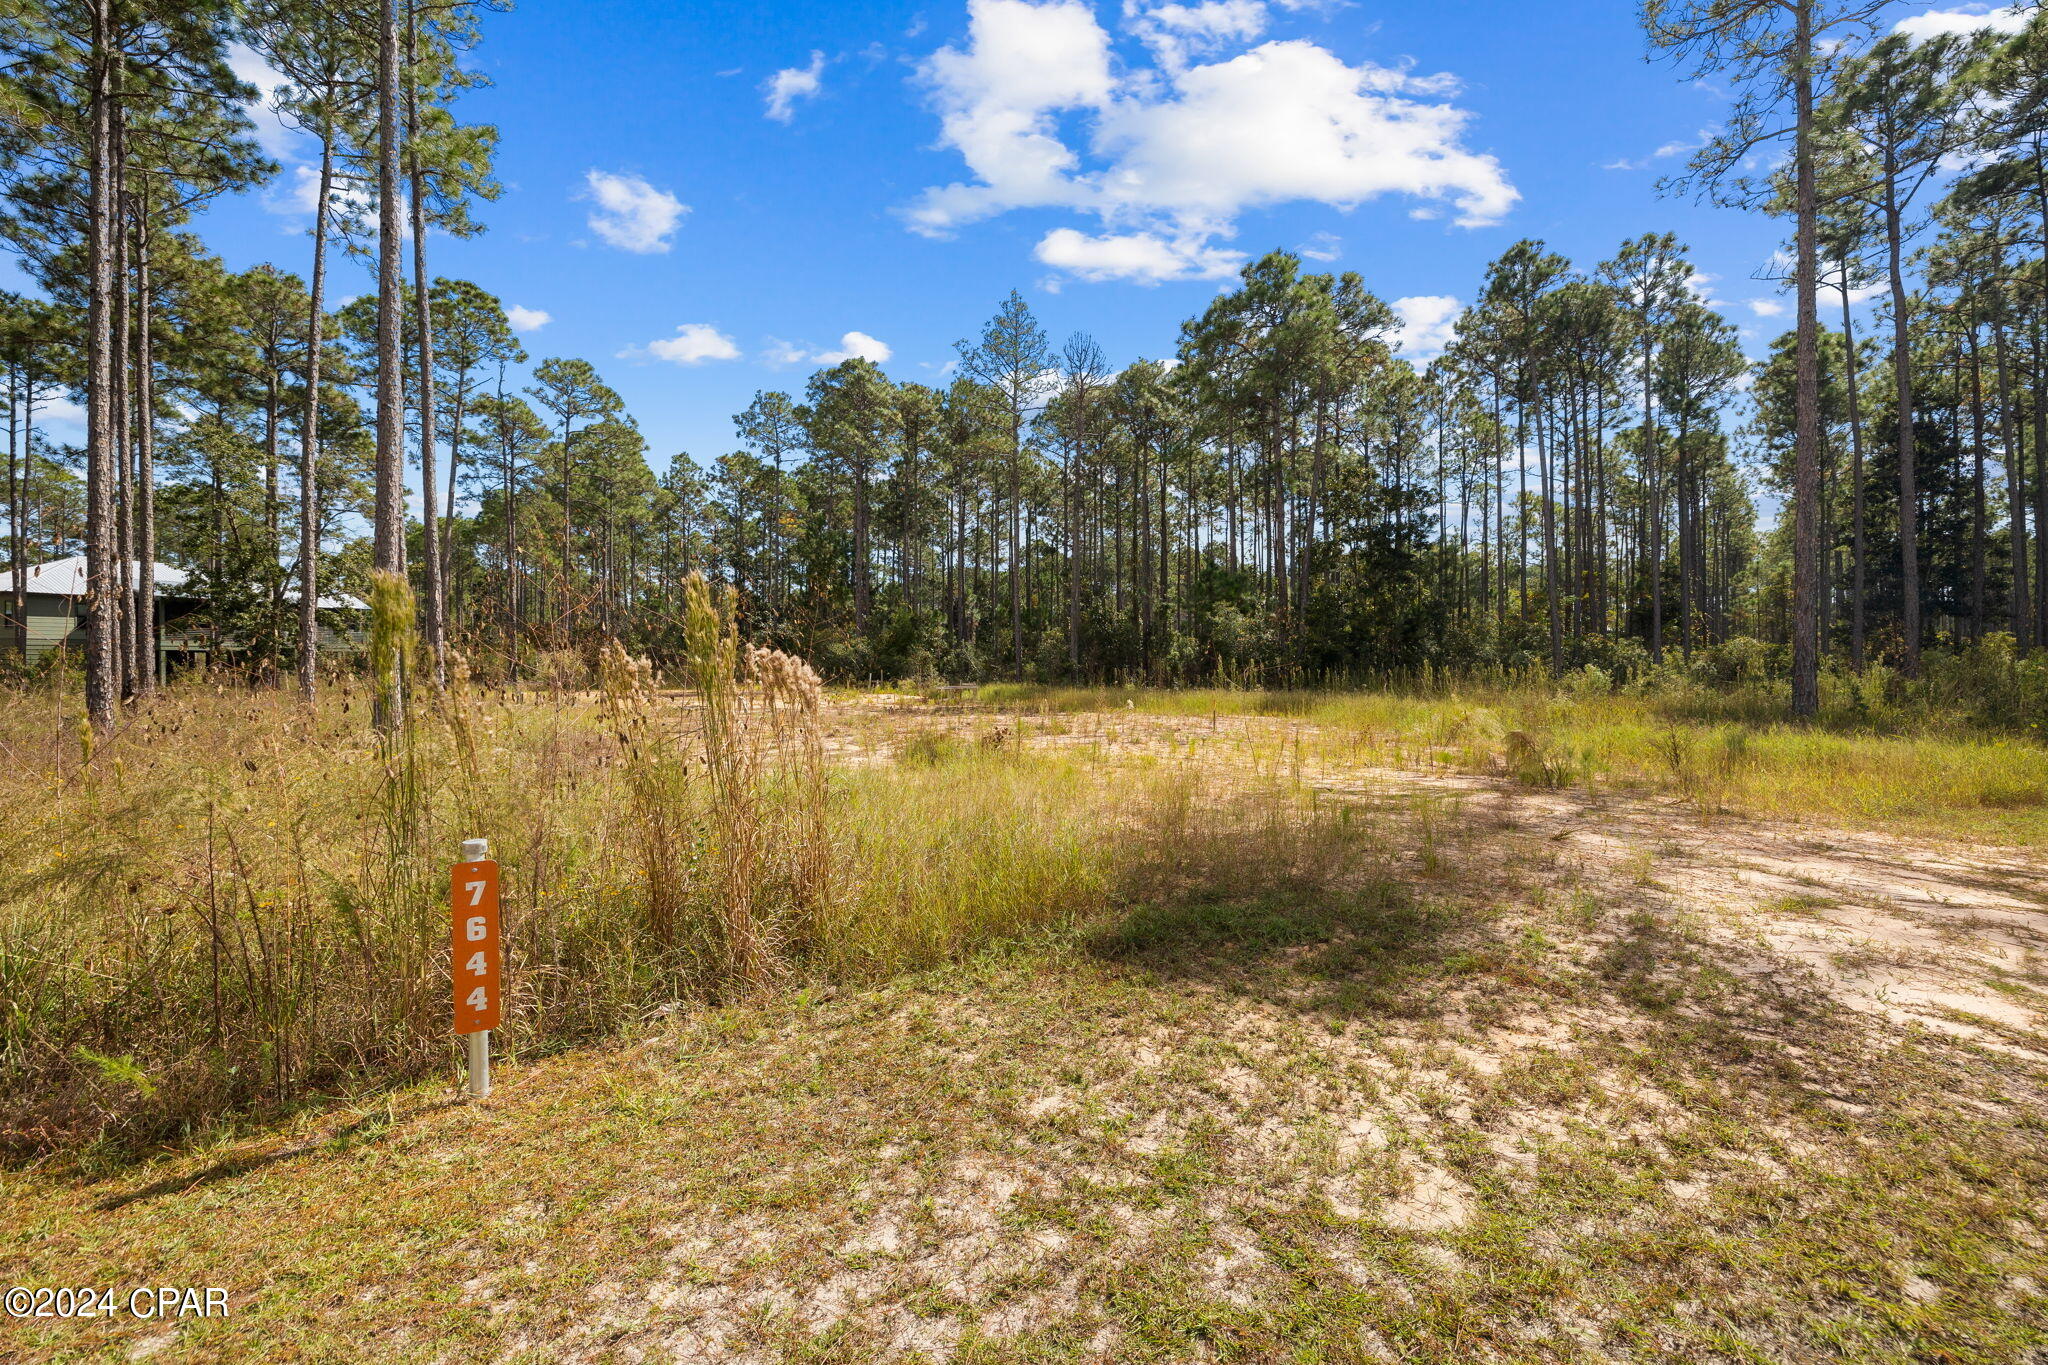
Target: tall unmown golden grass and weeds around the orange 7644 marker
{"type": "Point", "coordinates": [237, 906]}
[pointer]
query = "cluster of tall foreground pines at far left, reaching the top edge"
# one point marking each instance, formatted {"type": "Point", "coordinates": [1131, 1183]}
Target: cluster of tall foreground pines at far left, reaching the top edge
{"type": "Point", "coordinates": [118, 122]}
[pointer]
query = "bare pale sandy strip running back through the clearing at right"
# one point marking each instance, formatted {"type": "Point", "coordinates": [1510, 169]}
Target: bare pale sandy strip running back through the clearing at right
{"type": "Point", "coordinates": [1949, 936]}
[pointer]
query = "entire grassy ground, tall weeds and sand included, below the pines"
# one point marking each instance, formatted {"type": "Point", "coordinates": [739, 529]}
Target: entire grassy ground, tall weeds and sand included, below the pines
{"type": "Point", "coordinates": [1074, 1028]}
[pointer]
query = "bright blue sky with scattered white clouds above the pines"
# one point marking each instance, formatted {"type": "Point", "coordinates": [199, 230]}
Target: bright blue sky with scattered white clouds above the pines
{"type": "Point", "coordinates": [710, 200]}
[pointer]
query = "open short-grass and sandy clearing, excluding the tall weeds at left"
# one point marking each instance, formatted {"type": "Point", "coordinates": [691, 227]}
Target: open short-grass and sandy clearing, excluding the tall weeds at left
{"type": "Point", "coordinates": [1369, 1057]}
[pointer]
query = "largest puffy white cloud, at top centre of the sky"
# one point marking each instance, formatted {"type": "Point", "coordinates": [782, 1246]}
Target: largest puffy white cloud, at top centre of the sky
{"type": "Point", "coordinates": [1168, 157]}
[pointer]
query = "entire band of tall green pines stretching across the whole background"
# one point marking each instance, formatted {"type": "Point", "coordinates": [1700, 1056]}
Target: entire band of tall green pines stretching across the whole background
{"type": "Point", "coordinates": [1285, 496]}
